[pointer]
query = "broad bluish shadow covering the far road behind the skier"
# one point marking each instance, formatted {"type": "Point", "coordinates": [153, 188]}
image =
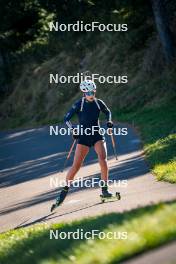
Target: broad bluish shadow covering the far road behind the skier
{"type": "Point", "coordinates": [31, 154]}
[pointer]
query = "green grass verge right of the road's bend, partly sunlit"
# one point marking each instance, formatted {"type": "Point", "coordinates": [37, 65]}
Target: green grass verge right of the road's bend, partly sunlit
{"type": "Point", "coordinates": [157, 127]}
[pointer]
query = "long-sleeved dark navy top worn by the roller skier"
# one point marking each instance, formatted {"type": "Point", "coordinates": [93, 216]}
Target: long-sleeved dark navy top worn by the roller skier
{"type": "Point", "coordinates": [87, 112]}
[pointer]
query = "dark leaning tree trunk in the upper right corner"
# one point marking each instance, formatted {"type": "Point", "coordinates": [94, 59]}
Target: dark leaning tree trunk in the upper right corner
{"type": "Point", "coordinates": [163, 30]}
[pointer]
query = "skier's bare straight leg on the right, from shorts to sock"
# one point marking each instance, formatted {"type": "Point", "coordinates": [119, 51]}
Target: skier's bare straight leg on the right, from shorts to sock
{"type": "Point", "coordinates": [100, 148]}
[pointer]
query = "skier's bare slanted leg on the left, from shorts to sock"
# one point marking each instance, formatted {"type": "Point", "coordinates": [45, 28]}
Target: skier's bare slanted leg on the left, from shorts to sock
{"type": "Point", "coordinates": [80, 154]}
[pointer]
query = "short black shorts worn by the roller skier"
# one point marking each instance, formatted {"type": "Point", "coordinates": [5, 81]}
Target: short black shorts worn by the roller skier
{"type": "Point", "coordinates": [90, 141]}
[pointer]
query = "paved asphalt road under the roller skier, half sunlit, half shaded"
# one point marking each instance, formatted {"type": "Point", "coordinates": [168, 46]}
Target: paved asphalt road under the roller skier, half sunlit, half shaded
{"type": "Point", "coordinates": [29, 164]}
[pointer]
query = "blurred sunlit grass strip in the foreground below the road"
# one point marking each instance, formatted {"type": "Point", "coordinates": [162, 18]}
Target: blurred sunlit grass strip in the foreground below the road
{"type": "Point", "coordinates": [146, 227]}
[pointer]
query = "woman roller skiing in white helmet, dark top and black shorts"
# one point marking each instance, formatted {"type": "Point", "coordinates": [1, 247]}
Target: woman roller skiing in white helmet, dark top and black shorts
{"type": "Point", "coordinates": [88, 109]}
